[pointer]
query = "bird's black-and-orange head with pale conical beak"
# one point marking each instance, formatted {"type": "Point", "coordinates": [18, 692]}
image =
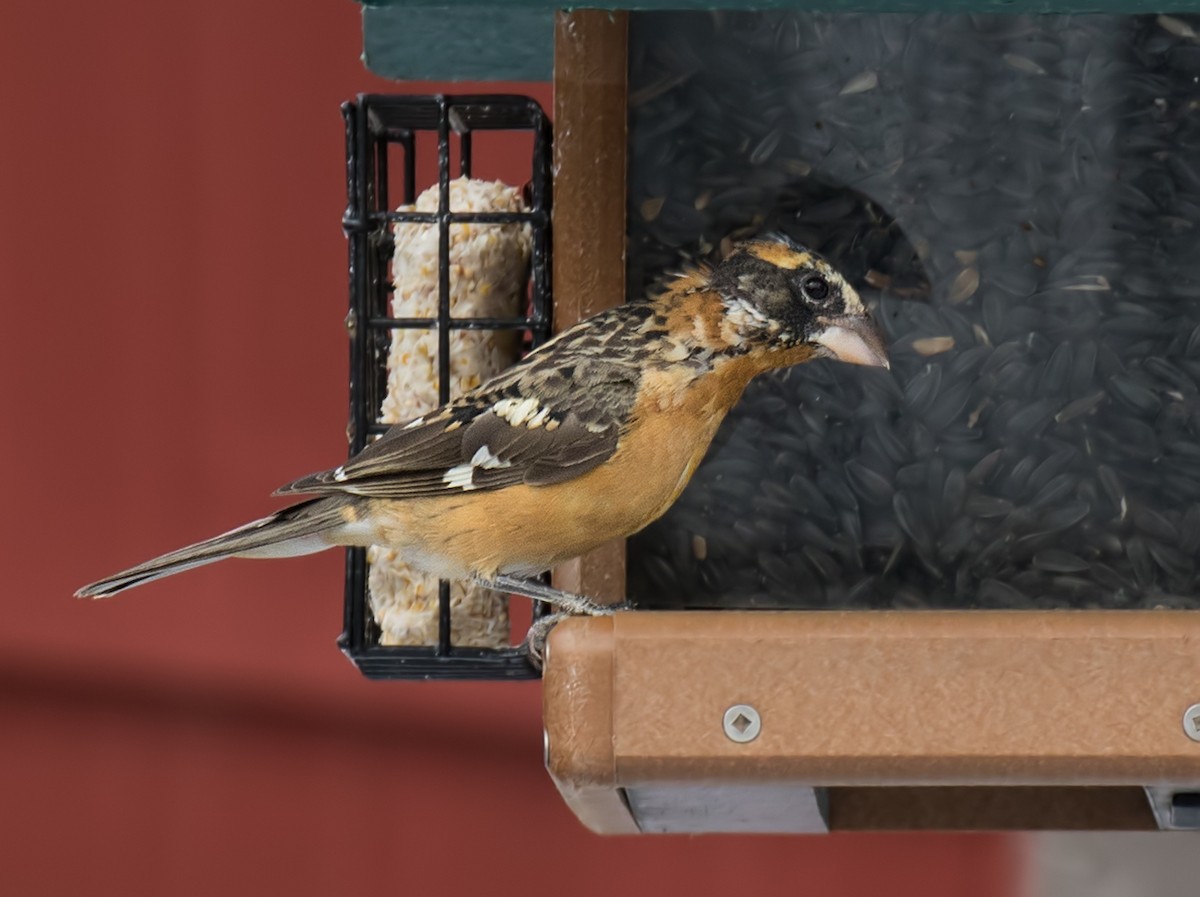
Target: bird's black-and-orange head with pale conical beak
{"type": "Point", "coordinates": [783, 297]}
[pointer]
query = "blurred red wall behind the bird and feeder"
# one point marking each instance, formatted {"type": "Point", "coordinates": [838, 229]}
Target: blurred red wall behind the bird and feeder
{"type": "Point", "coordinates": [172, 269]}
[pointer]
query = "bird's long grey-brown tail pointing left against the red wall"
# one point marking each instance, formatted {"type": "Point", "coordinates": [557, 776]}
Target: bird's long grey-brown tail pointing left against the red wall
{"type": "Point", "coordinates": [295, 531]}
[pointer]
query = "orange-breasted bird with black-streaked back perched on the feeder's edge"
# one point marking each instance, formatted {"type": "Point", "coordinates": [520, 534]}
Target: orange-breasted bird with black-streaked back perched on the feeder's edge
{"type": "Point", "coordinates": [590, 438]}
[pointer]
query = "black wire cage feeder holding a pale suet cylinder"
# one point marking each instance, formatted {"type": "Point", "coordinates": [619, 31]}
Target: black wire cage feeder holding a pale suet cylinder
{"type": "Point", "coordinates": [441, 285]}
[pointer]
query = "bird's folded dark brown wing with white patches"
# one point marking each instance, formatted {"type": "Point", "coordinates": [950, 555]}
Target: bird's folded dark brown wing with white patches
{"type": "Point", "coordinates": [554, 418]}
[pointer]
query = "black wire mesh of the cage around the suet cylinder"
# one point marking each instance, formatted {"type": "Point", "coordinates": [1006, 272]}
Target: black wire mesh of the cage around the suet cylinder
{"type": "Point", "coordinates": [391, 141]}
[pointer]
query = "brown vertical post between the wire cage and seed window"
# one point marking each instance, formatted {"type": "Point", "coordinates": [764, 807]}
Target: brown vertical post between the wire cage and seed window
{"type": "Point", "coordinates": [591, 67]}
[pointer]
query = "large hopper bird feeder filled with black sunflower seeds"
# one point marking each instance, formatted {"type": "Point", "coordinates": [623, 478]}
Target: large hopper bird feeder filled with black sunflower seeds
{"type": "Point", "coordinates": [958, 595]}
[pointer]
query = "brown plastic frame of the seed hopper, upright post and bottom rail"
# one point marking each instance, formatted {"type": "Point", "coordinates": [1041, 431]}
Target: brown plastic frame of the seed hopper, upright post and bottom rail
{"type": "Point", "coordinates": [919, 720]}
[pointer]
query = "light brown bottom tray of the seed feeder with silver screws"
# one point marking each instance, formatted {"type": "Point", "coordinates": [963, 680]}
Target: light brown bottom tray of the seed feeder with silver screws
{"type": "Point", "coordinates": [818, 721]}
